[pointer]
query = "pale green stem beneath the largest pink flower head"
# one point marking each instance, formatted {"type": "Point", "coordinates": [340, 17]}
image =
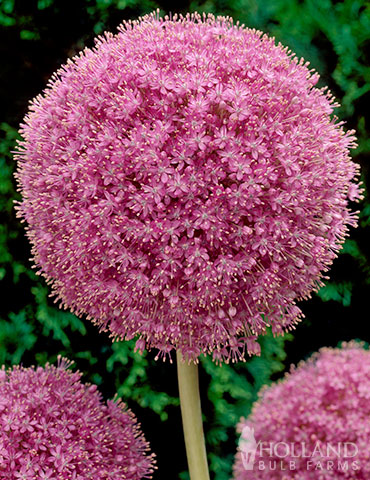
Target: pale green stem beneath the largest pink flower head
{"type": "Point", "coordinates": [192, 419]}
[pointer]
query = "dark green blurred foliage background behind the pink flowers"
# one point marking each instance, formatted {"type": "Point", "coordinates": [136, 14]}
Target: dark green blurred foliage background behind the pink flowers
{"type": "Point", "coordinates": [35, 38]}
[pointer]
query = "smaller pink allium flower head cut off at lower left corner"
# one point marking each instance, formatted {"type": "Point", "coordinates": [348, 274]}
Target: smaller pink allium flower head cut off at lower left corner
{"type": "Point", "coordinates": [53, 427]}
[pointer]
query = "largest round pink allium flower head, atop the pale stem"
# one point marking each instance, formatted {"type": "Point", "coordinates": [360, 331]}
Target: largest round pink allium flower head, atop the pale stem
{"type": "Point", "coordinates": [184, 184]}
